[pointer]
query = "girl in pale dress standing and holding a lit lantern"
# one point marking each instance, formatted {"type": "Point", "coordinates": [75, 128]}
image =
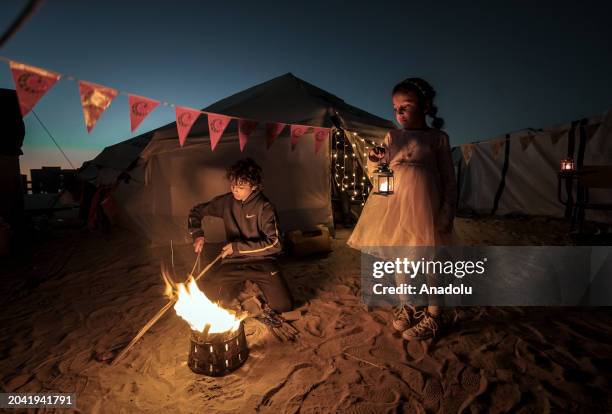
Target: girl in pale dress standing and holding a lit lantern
{"type": "Point", "coordinates": [422, 208]}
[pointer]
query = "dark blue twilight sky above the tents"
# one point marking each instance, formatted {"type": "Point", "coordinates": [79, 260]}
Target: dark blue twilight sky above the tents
{"type": "Point", "coordinates": [497, 66]}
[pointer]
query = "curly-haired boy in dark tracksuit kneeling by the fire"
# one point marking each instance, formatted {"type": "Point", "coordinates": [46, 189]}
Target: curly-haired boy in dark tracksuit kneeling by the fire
{"type": "Point", "coordinates": [251, 227]}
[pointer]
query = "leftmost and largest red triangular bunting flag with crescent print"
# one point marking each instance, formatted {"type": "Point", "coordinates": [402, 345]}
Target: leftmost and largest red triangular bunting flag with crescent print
{"type": "Point", "coordinates": [31, 83]}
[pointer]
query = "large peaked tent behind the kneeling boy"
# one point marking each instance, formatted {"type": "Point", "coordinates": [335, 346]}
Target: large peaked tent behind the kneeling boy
{"type": "Point", "coordinates": [164, 180]}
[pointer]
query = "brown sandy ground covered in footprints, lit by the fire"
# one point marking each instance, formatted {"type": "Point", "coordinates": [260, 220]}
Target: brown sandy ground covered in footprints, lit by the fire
{"type": "Point", "coordinates": [82, 294]}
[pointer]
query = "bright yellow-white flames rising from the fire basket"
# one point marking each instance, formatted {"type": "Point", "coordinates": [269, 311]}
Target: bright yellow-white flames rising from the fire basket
{"type": "Point", "coordinates": [193, 306]}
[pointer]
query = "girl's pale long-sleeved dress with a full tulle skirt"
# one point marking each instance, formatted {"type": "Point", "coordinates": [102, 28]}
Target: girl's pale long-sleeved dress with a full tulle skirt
{"type": "Point", "coordinates": [422, 208]}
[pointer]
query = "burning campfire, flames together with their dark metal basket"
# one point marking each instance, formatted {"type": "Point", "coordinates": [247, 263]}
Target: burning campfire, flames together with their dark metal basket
{"type": "Point", "coordinates": [218, 343]}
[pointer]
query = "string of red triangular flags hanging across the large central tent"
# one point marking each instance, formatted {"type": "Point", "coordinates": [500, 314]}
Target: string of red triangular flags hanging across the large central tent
{"type": "Point", "coordinates": [32, 83]}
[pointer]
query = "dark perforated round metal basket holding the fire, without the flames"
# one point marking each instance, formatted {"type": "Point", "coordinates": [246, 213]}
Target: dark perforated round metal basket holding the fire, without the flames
{"type": "Point", "coordinates": [217, 354]}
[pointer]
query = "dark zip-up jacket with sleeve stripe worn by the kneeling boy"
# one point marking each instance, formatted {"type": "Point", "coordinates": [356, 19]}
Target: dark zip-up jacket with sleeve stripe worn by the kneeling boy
{"type": "Point", "coordinates": [251, 225]}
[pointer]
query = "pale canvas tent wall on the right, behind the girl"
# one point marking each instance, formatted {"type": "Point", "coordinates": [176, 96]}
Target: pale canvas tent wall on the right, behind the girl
{"type": "Point", "coordinates": [517, 173]}
